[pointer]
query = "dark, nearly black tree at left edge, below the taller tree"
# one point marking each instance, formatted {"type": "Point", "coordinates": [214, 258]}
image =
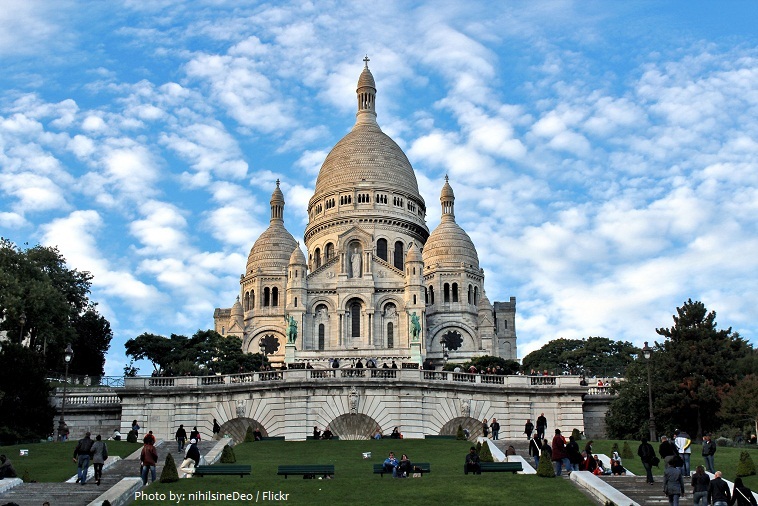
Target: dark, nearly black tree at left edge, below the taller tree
{"type": "Point", "coordinates": [25, 411]}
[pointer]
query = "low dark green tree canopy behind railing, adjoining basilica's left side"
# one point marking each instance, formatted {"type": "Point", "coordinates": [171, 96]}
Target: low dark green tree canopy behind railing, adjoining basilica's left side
{"type": "Point", "coordinates": [206, 350]}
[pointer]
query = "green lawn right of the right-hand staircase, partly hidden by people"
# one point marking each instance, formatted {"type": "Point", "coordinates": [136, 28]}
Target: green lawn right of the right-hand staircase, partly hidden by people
{"type": "Point", "coordinates": [726, 459]}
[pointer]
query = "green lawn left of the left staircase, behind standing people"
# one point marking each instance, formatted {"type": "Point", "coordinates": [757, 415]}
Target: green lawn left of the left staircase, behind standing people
{"type": "Point", "coordinates": [48, 462]}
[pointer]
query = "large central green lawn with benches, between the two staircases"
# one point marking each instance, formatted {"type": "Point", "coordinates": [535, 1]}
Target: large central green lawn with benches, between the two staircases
{"type": "Point", "coordinates": [354, 482]}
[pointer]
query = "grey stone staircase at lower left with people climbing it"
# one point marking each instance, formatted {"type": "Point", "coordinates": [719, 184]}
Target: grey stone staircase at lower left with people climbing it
{"type": "Point", "coordinates": [74, 494]}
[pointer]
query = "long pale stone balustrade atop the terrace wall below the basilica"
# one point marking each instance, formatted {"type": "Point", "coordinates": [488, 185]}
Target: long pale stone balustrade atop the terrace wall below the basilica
{"type": "Point", "coordinates": [355, 374]}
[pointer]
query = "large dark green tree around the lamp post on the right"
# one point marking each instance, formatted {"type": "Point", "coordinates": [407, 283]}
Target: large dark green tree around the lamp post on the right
{"type": "Point", "coordinates": [692, 370]}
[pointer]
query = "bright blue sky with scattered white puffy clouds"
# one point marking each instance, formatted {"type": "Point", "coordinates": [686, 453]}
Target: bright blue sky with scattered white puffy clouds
{"type": "Point", "coordinates": [604, 155]}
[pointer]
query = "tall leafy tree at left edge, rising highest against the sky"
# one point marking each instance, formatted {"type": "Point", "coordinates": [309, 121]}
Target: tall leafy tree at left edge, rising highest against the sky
{"type": "Point", "coordinates": [52, 300]}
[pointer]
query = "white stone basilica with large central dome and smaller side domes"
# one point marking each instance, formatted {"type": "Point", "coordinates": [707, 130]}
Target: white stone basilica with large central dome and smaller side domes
{"type": "Point", "coordinates": [372, 269]}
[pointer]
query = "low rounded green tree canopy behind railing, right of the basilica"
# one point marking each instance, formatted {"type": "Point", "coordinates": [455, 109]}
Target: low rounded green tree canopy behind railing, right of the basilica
{"type": "Point", "coordinates": [594, 356]}
